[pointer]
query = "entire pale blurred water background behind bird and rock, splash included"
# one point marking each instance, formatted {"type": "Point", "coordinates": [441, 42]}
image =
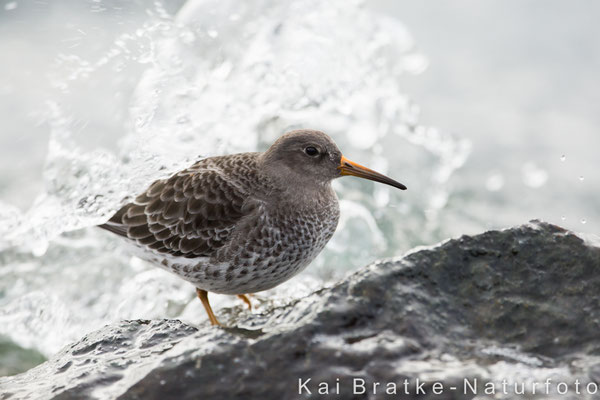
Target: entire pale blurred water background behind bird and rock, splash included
{"type": "Point", "coordinates": [487, 111]}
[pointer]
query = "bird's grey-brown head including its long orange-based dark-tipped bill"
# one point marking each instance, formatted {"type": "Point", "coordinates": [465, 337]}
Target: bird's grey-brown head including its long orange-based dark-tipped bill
{"type": "Point", "coordinates": [307, 157]}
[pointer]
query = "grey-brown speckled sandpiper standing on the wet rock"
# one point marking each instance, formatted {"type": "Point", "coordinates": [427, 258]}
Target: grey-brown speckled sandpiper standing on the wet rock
{"type": "Point", "coordinates": [242, 223]}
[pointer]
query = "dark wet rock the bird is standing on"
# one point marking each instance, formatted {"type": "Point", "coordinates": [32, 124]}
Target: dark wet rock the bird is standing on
{"type": "Point", "coordinates": [519, 305]}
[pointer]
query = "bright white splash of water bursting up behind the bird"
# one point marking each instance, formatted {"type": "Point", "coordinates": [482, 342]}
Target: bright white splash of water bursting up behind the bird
{"type": "Point", "coordinates": [220, 77]}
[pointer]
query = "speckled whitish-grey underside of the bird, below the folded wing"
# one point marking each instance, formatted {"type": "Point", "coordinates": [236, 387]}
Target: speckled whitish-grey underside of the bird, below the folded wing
{"type": "Point", "coordinates": [274, 250]}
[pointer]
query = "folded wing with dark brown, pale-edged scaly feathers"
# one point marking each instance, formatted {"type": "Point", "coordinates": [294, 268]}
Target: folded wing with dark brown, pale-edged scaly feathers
{"type": "Point", "coordinates": [191, 214]}
